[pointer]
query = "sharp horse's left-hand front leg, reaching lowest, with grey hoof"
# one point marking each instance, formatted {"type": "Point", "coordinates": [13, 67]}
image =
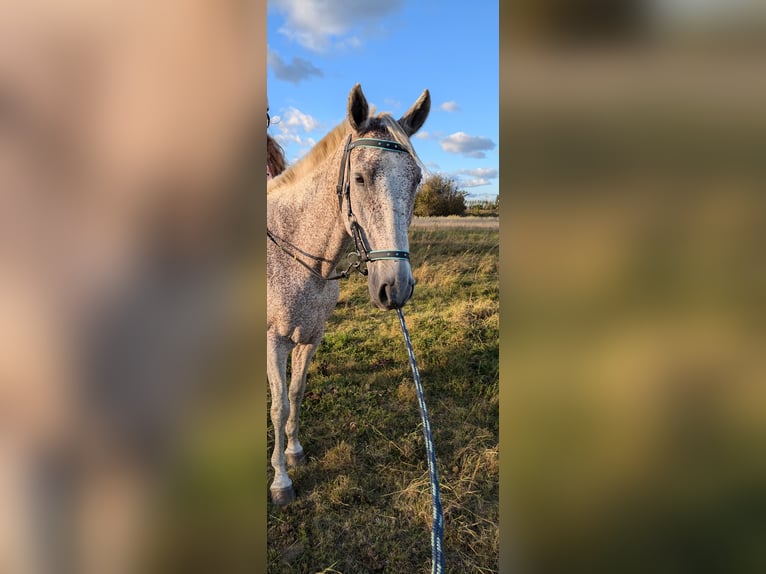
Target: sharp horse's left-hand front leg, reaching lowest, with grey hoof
{"type": "Point", "coordinates": [281, 488]}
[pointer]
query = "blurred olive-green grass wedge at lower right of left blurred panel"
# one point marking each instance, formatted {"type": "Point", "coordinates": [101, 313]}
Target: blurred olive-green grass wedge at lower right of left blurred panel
{"type": "Point", "coordinates": [210, 513]}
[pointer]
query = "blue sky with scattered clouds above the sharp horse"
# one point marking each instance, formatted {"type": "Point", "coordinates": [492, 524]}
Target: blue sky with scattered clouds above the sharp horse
{"type": "Point", "coordinates": [318, 49]}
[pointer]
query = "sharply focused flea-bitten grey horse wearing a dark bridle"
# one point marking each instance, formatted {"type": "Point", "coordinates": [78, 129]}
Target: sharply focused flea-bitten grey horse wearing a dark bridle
{"type": "Point", "coordinates": [356, 186]}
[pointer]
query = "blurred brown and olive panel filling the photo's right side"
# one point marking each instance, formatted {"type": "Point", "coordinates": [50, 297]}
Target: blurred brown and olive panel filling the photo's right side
{"type": "Point", "coordinates": [633, 320]}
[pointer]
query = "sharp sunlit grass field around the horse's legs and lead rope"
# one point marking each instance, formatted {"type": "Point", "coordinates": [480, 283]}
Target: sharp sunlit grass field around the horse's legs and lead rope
{"type": "Point", "coordinates": [363, 502]}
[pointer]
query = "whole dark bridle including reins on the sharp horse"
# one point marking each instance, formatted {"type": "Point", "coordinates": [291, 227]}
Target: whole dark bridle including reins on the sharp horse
{"type": "Point", "coordinates": [362, 254]}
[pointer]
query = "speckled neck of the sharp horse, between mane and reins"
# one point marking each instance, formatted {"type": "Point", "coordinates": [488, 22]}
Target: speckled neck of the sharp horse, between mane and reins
{"type": "Point", "coordinates": [306, 213]}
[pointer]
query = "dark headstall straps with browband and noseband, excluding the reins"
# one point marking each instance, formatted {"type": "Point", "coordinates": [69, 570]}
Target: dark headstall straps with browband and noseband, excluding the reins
{"type": "Point", "coordinates": [343, 189]}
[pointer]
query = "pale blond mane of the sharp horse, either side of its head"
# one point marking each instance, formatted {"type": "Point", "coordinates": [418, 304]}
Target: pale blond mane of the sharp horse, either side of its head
{"type": "Point", "coordinates": [330, 142]}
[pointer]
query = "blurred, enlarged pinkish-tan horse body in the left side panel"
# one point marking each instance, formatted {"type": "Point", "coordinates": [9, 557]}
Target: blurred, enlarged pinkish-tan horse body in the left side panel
{"type": "Point", "coordinates": [128, 134]}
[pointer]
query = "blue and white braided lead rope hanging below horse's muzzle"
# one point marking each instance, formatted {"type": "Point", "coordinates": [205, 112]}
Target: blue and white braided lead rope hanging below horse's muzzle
{"type": "Point", "coordinates": [437, 529]}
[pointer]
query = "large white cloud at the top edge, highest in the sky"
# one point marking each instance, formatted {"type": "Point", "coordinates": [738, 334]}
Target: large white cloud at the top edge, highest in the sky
{"type": "Point", "coordinates": [314, 24]}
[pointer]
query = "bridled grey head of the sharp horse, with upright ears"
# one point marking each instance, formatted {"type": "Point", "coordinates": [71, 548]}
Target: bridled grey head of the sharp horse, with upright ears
{"type": "Point", "coordinates": [383, 174]}
